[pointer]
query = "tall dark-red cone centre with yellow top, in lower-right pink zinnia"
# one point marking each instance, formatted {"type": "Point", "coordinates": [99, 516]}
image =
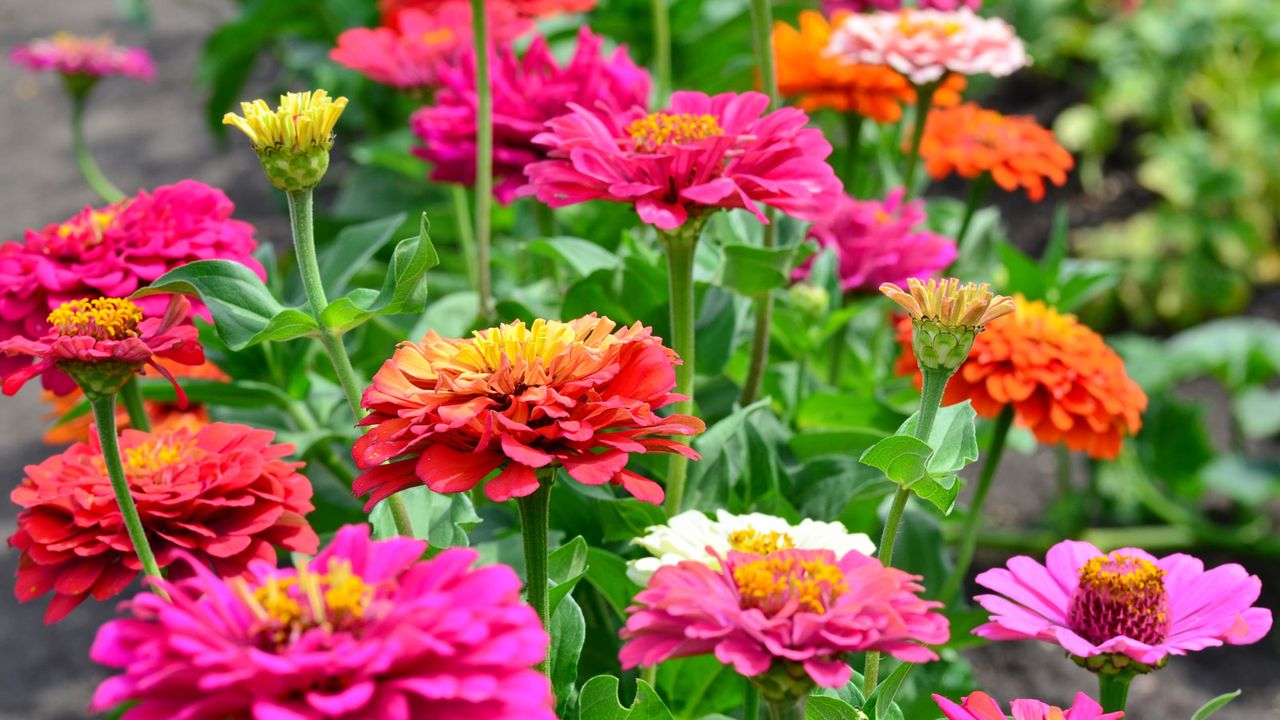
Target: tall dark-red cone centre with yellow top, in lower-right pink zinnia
{"type": "Point", "coordinates": [1121, 595]}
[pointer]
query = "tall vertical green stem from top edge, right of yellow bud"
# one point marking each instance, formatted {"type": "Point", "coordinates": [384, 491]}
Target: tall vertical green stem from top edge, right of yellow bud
{"type": "Point", "coordinates": [484, 157]}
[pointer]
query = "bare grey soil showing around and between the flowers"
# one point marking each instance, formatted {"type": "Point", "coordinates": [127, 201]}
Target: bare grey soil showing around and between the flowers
{"type": "Point", "coordinates": [150, 135]}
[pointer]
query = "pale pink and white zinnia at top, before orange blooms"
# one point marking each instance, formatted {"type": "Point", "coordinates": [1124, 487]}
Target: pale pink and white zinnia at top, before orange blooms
{"type": "Point", "coordinates": [925, 45]}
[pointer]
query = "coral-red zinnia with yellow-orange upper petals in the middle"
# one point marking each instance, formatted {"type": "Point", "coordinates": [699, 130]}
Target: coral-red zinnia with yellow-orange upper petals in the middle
{"type": "Point", "coordinates": [580, 395]}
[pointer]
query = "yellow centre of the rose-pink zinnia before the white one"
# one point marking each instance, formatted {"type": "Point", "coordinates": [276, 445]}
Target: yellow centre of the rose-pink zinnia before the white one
{"type": "Point", "coordinates": [774, 584]}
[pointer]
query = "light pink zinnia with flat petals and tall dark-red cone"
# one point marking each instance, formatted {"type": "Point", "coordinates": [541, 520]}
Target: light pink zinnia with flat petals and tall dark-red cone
{"type": "Point", "coordinates": [1128, 603]}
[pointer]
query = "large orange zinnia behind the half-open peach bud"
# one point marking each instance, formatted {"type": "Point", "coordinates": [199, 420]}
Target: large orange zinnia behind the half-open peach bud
{"type": "Point", "coordinates": [1062, 380]}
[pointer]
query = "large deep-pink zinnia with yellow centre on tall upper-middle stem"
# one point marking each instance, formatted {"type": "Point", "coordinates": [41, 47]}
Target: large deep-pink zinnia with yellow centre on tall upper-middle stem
{"type": "Point", "coordinates": [701, 154]}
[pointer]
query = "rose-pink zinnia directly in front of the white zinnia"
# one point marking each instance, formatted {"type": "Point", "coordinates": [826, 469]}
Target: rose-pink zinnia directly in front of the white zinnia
{"type": "Point", "coordinates": [804, 609]}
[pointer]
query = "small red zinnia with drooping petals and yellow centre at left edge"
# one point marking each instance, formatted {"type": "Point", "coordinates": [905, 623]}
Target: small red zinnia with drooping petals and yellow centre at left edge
{"type": "Point", "coordinates": [103, 343]}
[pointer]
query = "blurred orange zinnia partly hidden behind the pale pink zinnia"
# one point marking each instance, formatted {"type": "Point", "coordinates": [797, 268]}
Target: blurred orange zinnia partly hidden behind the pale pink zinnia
{"type": "Point", "coordinates": [820, 81]}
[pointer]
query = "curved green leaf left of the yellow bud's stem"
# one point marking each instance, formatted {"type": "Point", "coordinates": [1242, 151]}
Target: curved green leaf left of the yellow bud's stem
{"type": "Point", "coordinates": [245, 312]}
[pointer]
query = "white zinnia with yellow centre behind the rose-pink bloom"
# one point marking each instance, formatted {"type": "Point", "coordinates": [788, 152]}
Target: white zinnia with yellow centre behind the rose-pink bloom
{"type": "Point", "coordinates": [694, 536]}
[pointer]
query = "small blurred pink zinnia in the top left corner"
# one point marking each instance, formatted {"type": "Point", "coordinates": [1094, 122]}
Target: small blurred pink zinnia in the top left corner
{"type": "Point", "coordinates": [84, 57]}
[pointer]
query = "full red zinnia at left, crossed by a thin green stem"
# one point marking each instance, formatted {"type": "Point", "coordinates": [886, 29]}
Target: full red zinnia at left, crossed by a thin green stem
{"type": "Point", "coordinates": [222, 494]}
